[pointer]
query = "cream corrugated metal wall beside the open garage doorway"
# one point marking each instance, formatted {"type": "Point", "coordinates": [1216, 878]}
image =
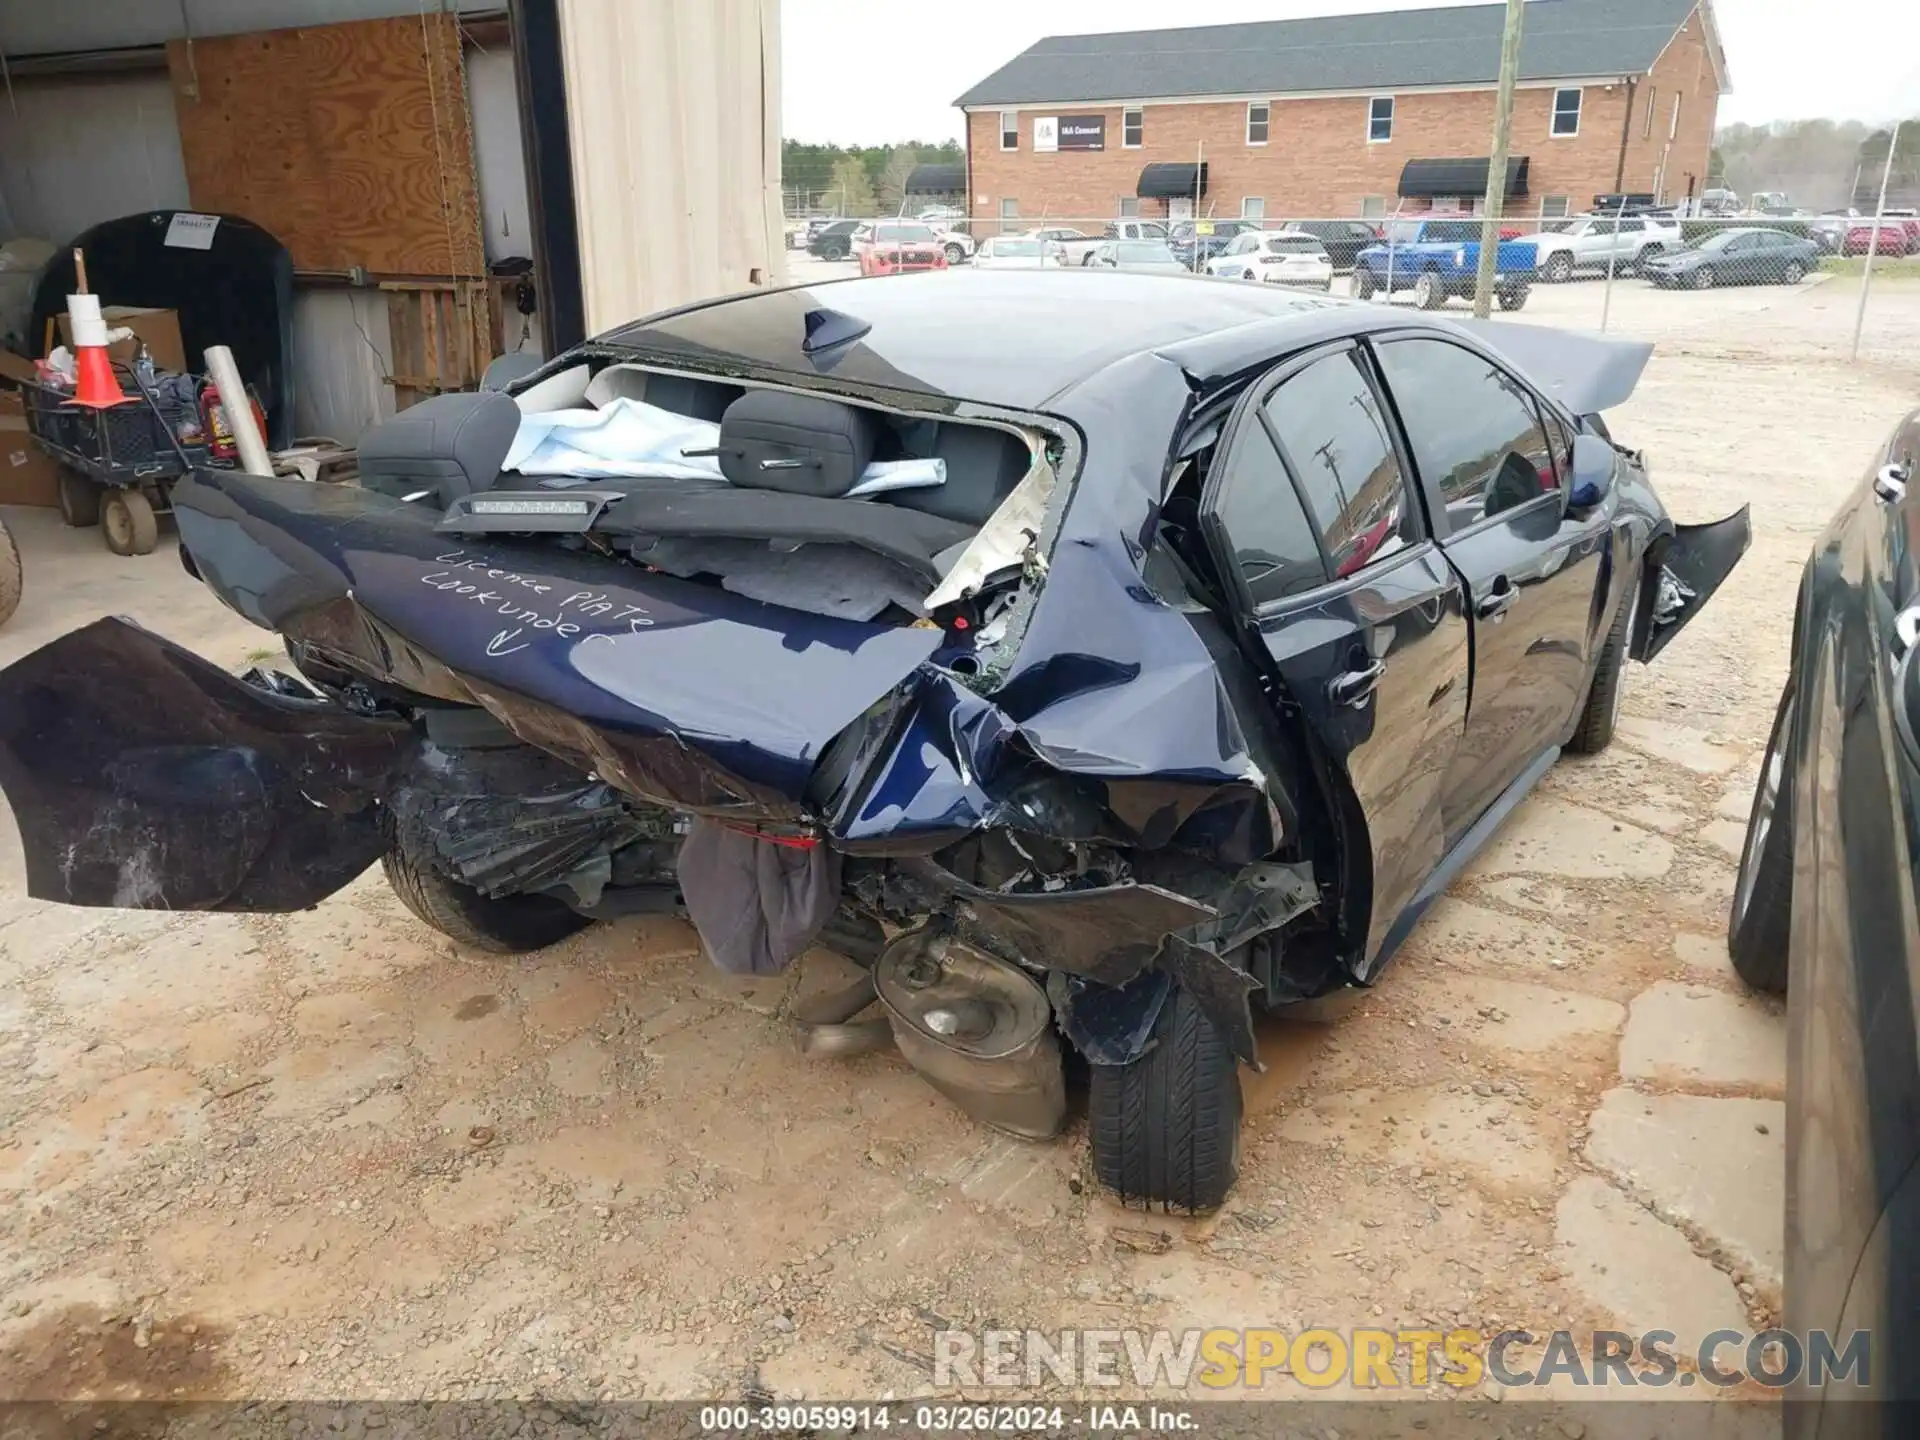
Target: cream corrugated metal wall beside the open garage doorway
{"type": "Point", "coordinates": [675, 118]}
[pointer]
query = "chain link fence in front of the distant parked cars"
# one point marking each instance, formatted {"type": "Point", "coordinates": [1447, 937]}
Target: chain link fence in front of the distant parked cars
{"type": "Point", "coordinates": [1785, 285]}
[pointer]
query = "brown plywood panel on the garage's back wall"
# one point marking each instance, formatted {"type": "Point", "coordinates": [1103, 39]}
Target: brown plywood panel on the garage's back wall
{"type": "Point", "coordinates": [350, 143]}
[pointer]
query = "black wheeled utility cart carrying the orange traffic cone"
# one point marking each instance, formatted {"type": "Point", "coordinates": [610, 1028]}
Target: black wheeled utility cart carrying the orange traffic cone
{"type": "Point", "coordinates": [118, 464]}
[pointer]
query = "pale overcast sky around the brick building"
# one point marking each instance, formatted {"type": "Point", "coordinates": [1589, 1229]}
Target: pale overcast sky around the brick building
{"type": "Point", "coordinates": [867, 72]}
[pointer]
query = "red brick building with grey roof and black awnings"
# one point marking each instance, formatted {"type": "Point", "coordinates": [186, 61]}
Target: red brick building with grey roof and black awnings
{"type": "Point", "coordinates": [1349, 114]}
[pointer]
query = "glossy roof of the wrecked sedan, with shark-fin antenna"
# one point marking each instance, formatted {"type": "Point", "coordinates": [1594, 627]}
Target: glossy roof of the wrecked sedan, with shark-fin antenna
{"type": "Point", "coordinates": [1013, 339]}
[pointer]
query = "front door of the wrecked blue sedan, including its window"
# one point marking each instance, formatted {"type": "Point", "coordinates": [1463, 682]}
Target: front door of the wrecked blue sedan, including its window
{"type": "Point", "coordinates": [1533, 571]}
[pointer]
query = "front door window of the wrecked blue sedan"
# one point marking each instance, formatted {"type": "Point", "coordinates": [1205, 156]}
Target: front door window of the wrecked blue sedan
{"type": "Point", "coordinates": [1474, 429]}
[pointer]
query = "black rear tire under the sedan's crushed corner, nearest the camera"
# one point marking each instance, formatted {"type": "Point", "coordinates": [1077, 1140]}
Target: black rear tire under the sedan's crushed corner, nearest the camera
{"type": "Point", "coordinates": [1166, 1130]}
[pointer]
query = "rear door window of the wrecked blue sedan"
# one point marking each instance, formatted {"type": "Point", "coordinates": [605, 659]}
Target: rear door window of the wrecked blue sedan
{"type": "Point", "coordinates": [1332, 433]}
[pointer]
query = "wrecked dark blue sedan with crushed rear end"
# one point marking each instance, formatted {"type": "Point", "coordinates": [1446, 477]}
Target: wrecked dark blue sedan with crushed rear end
{"type": "Point", "coordinates": [1095, 658]}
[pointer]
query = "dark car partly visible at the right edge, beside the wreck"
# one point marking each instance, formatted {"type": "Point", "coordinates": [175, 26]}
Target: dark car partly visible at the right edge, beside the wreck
{"type": "Point", "coordinates": [1825, 913]}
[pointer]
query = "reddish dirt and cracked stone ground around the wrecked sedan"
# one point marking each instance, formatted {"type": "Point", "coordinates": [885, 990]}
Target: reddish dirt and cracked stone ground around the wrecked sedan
{"type": "Point", "coordinates": [331, 1155]}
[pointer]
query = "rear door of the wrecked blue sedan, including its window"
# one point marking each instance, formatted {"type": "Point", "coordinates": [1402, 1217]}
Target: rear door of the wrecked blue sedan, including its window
{"type": "Point", "coordinates": [1314, 523]}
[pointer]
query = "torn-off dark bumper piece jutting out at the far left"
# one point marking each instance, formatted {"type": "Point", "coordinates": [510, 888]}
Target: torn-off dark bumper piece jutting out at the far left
{"type": "Point", "coordinates": [147, 779]}
